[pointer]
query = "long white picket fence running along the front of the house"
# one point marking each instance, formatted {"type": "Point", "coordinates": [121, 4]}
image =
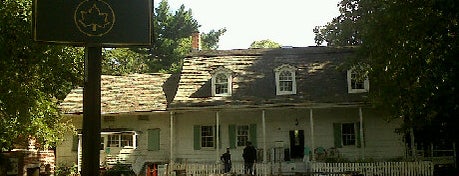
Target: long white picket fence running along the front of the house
{"type": "Point", "coordinates": [419, 168]}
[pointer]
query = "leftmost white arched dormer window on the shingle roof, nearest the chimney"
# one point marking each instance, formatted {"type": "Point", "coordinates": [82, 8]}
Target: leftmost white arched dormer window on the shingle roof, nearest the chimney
{"type": "Point", "coordinates": [221, 82]}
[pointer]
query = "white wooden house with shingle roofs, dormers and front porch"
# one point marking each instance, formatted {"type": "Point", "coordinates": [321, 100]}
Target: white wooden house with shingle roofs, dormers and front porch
{"type": "Point", "coordinates": [286, 101]}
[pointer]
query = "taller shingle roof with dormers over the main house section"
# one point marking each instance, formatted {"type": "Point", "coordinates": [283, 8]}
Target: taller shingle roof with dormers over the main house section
{"type": "Point", "coordinates": [319, 79]}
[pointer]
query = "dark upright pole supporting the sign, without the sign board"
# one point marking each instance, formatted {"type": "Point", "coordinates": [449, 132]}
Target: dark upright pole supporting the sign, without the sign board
{"type": "Point", "coordinates": [91, 111]}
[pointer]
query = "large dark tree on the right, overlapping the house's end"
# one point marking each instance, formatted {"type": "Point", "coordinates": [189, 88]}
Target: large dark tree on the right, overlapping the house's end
{"type": "Point", "coordinates": [411, 48]}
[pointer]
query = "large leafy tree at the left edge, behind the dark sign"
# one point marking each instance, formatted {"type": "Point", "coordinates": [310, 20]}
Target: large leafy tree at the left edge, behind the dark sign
{"type": "Point", "coordinates": [34, 77]}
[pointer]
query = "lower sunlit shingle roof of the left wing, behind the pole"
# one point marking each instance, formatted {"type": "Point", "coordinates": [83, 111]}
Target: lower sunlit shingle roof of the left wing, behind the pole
{"type": "Point", "coordinates": [119, 94]}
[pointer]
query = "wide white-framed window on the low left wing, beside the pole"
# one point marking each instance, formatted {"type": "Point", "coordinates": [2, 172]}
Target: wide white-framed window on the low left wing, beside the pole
{"type": "Point", "coordinates": [122, 139]}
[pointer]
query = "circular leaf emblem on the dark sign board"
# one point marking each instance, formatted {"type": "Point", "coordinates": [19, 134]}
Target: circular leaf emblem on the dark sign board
{"type": "Point", "coordinates": [94, 18]}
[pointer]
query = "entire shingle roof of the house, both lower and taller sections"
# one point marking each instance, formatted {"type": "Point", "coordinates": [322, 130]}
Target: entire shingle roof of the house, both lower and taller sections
{"type": "Point", "coordinates": [319, 82]}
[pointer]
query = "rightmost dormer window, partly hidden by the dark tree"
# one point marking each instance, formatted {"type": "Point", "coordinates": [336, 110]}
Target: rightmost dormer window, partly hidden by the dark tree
{"type": "Point", "coordinates": [357, 83]}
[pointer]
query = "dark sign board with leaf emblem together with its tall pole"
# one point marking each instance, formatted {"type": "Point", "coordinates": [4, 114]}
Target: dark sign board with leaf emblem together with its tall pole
{"type": "Point", "coordinates": [93, 24]}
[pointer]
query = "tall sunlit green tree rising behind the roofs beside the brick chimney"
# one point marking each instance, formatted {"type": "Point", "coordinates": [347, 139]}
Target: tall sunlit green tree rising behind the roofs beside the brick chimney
{"type": "Point", "coordinates": [171, 38]}
